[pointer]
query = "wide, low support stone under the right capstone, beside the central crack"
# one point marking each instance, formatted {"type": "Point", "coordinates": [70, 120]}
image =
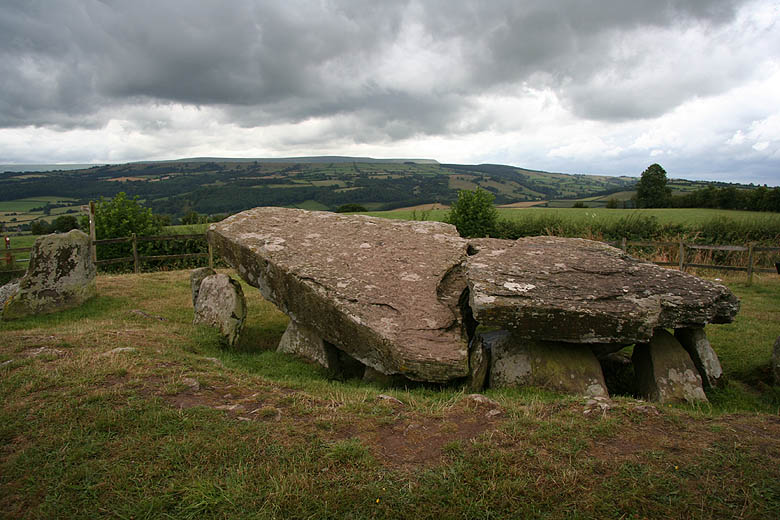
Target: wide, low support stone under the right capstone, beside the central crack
{"type": "Point", "coordinates": [562, 367]}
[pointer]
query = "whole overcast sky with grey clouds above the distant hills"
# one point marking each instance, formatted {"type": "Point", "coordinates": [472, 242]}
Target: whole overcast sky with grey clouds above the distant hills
{"type": "Point", "coordinates": [579, 86]}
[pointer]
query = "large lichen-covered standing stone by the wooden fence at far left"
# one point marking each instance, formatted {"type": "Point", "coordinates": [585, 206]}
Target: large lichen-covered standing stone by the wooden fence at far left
{"type": "Point", "coordinates": [61, 275]}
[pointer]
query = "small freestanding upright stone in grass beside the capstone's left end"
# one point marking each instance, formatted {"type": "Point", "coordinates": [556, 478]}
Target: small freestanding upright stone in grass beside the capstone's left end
{"type": "Point", "coordinates": [221, 304]}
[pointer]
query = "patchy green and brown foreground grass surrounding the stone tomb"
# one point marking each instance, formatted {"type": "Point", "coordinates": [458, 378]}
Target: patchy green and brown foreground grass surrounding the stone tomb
{"type": "Point", "coordinates": [176, 427]}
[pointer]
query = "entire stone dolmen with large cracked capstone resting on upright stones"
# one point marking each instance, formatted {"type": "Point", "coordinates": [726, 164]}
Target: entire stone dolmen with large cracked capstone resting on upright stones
{"type": "Point", "coordinates": [404, 300]}
